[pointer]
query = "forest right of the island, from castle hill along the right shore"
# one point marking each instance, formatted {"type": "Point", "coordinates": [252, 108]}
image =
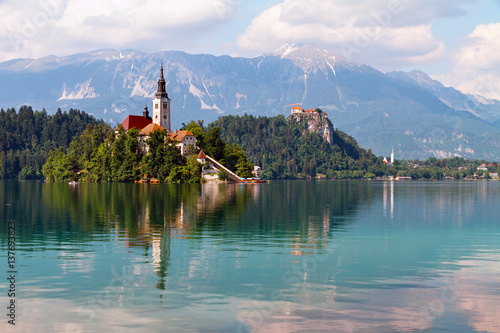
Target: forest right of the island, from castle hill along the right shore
{"type": "Point", "coordinates": [285, 150]}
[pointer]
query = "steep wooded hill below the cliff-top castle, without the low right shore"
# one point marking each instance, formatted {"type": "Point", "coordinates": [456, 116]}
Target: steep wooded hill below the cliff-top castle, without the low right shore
{"type": "Point", "coordinates": [285, 149]}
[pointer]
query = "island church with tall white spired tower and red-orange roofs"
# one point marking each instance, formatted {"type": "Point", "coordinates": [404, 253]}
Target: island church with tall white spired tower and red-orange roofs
{"type": "Point", "coordinates": [159, 121]}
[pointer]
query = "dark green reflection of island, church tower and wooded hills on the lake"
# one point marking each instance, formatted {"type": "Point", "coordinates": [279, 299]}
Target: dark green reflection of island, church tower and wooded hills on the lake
{"type": "Point", "coordinates": [299, 215]}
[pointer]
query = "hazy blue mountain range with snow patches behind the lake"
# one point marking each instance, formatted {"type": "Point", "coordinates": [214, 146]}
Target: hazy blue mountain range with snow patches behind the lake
{"type": "Point", "coordinates": [417, 116]}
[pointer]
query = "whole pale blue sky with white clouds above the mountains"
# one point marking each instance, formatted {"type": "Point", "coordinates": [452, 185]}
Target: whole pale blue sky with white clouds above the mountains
{"type": "Point", "coordinates": [454, 41]}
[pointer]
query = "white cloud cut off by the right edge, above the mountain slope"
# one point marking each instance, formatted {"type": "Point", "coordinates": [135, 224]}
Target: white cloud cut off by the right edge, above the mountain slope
{"type": "Point", "coordinates": [476, 68]}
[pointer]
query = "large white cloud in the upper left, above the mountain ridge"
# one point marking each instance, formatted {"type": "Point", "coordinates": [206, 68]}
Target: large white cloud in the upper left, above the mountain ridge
{"type": "Point", "coordinates": [35, 28]}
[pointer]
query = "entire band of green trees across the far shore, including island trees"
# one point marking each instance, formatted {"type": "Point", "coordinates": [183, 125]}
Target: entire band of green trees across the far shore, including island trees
{"type": "Point", "coordinates": [73, 145]}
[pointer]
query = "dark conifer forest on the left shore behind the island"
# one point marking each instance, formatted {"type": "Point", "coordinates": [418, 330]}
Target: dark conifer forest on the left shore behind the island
{"type": "Point", "coordinates": [27, 137]}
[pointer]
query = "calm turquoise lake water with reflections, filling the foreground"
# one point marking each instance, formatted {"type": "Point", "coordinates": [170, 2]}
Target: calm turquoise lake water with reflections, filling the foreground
{"type": "Point", "coordinates": [292, 256]}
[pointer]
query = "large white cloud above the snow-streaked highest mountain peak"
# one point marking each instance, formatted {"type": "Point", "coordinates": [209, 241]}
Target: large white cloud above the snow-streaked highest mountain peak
{"type": "Point", "coordinates": [383, 33]}
